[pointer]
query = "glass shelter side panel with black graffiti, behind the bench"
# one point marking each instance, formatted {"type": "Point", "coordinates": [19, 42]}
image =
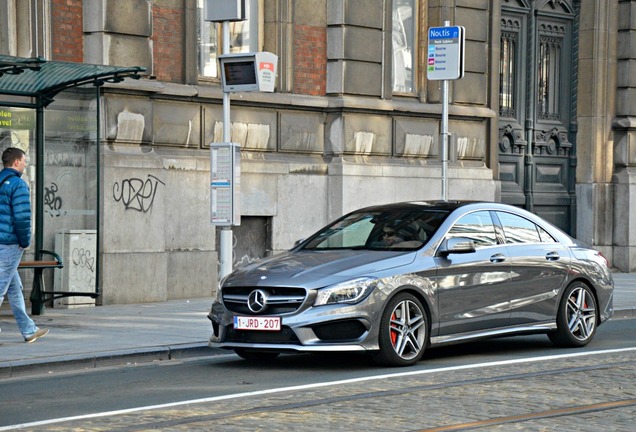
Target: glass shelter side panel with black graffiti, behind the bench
{"type": "Point", "coordinates": [71, 189]}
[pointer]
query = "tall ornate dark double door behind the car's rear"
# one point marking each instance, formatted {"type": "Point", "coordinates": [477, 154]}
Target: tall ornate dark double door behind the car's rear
{"type": "Point", "coordinates": [537, 160]}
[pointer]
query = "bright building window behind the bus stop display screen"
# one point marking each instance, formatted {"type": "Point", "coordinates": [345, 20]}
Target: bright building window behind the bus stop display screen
{"type": "Point", "coordinates": [244, 37]}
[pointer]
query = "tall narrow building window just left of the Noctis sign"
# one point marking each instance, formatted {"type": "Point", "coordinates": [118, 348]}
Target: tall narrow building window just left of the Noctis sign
{"type": "Point", "coordinates": [404, 31]}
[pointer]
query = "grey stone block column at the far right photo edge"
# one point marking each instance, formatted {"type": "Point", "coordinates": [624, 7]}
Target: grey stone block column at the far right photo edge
{"type": "Point", "coordinates": [625, 140]}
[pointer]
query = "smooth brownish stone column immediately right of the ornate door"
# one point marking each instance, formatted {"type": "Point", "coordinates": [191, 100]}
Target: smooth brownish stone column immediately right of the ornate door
{"type": "Point", "coordinates": [595, 110]}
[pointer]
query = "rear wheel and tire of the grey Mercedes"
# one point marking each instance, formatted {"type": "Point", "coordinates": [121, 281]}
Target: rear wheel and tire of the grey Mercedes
{"type": "Point", "coordinates": [576, 317]}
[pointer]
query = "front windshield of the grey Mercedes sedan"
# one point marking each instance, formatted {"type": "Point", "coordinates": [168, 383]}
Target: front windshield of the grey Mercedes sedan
{"type": "Point", "coordinates": [399, 229]}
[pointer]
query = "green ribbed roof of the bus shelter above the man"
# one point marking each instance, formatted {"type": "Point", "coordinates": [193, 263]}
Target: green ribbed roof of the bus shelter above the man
{"type": "Point", "coordinates": [43, 79]}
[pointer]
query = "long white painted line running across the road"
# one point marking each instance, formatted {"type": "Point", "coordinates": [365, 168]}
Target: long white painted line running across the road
{"type": "Point", "coordinates": [315, 385]}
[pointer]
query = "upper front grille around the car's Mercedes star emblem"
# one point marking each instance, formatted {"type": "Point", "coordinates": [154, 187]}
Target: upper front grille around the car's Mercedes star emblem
{"type": "Point", "coordinates": [280, 300]}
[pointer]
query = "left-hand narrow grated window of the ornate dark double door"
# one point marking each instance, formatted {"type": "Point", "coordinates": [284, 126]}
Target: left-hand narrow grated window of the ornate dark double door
{"type": "Point", "coordinates": [508, 74]}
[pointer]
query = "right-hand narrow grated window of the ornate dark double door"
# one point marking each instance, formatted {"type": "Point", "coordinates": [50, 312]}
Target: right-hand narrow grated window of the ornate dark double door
{"type": "Point", "coordinates": [548, 79]}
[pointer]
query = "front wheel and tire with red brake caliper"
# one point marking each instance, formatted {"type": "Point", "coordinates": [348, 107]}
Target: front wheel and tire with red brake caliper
{"type": "Point", "coordinates": [403, 333]}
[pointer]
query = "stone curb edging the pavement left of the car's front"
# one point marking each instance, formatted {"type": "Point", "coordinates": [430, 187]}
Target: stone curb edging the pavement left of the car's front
{"type": "Point", "coordinates": [68, 363]}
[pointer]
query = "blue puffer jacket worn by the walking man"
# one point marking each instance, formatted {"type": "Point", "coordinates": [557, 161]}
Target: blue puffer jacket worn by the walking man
{"type": "Point", "coordinates": [15, 209]}
